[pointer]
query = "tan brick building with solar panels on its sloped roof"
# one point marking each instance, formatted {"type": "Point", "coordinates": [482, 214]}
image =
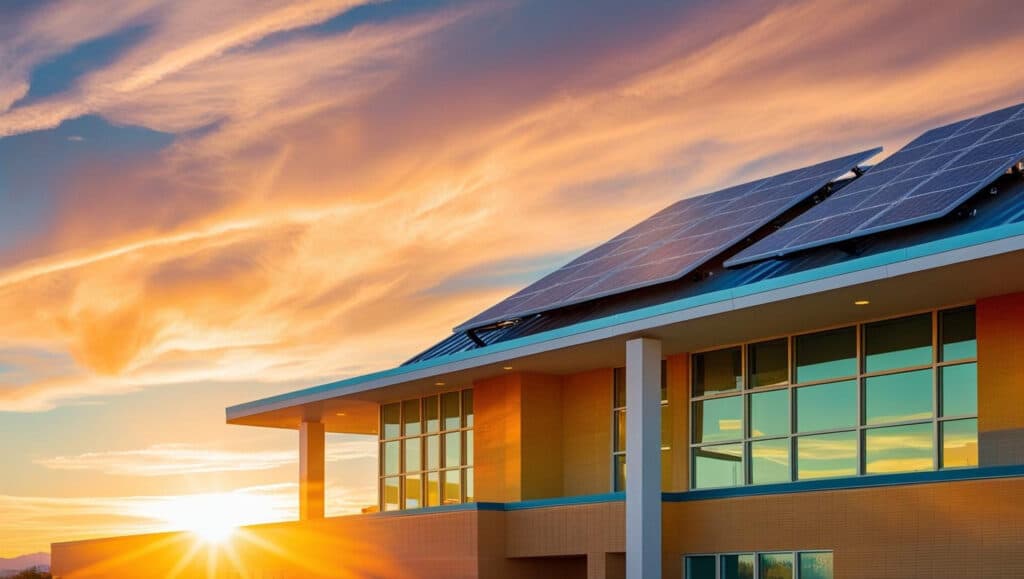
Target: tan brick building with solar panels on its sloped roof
{"type": "Point", "coordinates": [819, 375]}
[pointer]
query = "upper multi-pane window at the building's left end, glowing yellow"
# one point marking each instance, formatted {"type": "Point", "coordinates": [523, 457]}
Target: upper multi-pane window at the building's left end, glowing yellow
{"type": "Point", "coordinates": [426, 451]}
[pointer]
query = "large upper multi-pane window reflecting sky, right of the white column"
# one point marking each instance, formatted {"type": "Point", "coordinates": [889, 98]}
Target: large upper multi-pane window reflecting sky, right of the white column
{"type": "Point", "coordinates": [892, 396]}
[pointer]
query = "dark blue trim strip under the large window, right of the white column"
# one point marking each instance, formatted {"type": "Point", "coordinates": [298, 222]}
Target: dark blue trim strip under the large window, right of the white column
{"type": "Point", "coordinates": [868, 482]}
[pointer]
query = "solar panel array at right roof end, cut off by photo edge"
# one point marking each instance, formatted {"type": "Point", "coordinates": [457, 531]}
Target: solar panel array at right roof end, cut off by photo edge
{"type": "Point", "coordinates": [926, 180]}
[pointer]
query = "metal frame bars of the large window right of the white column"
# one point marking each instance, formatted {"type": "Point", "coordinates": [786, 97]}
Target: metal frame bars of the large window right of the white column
{"type": "Point", "coordinates": [938, 419]}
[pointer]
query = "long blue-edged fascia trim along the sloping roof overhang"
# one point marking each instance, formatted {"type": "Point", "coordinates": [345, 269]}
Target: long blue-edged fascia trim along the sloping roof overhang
{"type": "Point", "coordinates": [819, 274]}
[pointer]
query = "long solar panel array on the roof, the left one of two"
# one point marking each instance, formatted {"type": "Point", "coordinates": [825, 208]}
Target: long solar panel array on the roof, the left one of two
{"type": "Point", "coordinates": [672, 243]}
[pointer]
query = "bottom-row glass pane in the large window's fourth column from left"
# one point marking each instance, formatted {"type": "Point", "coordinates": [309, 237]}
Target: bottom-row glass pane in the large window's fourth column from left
{"type": "Point", "coordinates": [900, 449]}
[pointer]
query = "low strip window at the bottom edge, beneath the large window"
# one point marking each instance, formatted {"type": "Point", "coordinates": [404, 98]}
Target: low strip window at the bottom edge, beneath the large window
{"type": "Point", "coordinates": [784, 565]}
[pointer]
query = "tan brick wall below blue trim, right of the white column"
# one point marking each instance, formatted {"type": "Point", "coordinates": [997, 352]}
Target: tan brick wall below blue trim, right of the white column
{"type": "Point", "coordinates": [964, 529]}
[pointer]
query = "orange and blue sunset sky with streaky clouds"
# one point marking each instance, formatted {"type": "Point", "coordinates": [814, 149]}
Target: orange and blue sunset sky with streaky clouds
{"type": "Point", "coordinates": [208, 202]}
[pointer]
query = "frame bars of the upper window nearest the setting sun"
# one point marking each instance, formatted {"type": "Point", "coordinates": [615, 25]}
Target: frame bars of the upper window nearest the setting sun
{"type": "Point", "coordinates": [464, 469]}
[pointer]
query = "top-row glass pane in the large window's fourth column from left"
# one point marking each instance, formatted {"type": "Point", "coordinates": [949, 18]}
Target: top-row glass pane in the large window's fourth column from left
{"type": "Point", "coordinates": [899, 344]}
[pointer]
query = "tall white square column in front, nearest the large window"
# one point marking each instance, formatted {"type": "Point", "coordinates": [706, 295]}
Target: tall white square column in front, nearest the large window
{"type": "Point", "coordinates": [644, 459]}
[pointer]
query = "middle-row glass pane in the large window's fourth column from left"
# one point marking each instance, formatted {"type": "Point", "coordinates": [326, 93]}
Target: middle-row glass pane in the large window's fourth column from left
{"type": "Point", "coordinates": [899, 398]}
